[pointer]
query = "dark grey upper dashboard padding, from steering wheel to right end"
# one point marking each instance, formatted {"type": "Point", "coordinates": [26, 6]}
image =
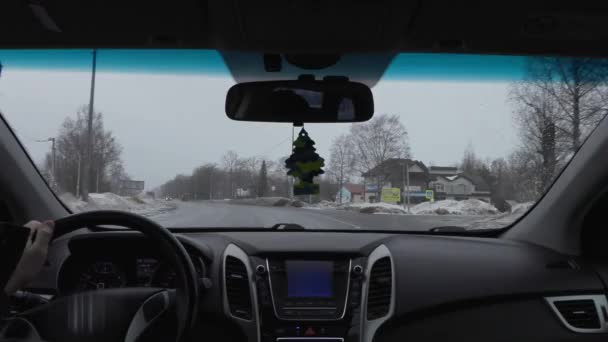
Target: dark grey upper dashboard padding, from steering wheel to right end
{"type": "Point", "coordinates": [430, 270]}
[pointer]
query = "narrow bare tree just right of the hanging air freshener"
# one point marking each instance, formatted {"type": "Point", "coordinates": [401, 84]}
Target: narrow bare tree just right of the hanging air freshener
{"type": "Point", "coordinates": [341, 161]}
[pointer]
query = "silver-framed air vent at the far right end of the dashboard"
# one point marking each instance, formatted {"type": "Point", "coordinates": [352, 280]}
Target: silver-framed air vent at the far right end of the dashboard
{"type": "Point", "coordinates": [580, 314]}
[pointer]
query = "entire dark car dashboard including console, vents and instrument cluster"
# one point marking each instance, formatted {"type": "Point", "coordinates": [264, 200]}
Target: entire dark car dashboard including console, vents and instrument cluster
{"type": "Point", "coordinates": [353, 286]}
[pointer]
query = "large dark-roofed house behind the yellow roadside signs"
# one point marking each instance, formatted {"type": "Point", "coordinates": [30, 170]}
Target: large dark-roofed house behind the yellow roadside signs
{"type": "Point", "coordinates": [393, 174]}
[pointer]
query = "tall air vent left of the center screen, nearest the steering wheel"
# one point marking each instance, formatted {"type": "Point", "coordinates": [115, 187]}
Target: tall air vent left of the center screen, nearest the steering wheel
{"type": "Point", "coordinates": [237, 288]}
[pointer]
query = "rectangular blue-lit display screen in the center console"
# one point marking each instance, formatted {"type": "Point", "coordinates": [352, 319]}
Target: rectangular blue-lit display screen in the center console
{"type": "Point", "coordinates": [309, 279]}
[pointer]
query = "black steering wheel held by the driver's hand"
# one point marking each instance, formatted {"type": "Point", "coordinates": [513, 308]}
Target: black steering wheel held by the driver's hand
{"type": "Point", "coordinates": [122, 314]}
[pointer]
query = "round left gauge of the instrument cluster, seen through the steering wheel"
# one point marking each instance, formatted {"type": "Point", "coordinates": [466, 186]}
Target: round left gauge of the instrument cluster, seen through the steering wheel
{"type": "Point", "coordinates": [101, 275]}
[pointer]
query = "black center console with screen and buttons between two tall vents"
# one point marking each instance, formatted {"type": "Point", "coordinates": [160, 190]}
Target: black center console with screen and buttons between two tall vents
{"type": "Point", "coordinates": [309, 298]}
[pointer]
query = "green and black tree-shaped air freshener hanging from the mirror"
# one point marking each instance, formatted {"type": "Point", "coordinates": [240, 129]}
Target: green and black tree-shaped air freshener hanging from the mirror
{"type": "Point", "coordinates": [304, 164]}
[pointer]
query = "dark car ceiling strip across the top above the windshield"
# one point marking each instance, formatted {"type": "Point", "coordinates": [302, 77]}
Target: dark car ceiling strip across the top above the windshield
{"type": "Point", "coordinates": [514, 28]}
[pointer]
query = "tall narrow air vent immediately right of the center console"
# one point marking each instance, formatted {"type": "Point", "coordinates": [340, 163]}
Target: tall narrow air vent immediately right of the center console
{"type": "Point", "coordinates": [380, 289]}
